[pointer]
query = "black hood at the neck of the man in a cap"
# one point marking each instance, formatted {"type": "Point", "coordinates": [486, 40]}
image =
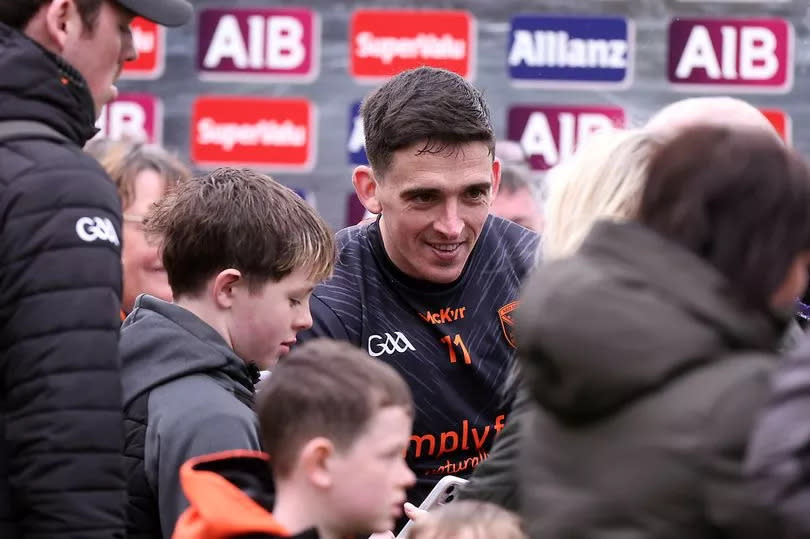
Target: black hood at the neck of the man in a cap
{"type": "Point", "coordinates": [40, 86]}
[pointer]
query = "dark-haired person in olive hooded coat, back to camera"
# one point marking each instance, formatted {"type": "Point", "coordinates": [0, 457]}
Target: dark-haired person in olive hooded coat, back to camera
{"type": "Point", "coordinates": [648, 352]}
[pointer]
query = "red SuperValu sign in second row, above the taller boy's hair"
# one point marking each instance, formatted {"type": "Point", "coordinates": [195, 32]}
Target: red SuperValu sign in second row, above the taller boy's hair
{"type": "Point", "coordinates": [266, 133]}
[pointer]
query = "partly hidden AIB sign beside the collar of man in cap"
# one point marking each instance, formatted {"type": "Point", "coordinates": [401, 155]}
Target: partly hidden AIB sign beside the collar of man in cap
{"type": "Point", "coordinates": [134, 117]}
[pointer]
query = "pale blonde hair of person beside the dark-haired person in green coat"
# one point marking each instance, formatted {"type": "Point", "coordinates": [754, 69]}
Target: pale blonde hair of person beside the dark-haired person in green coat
{"type": "Point", "coordinates": [602, 180]}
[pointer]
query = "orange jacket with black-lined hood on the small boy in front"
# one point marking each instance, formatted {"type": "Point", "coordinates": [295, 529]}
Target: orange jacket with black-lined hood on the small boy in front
{"type": "Point", "coordinates": [219, 509]}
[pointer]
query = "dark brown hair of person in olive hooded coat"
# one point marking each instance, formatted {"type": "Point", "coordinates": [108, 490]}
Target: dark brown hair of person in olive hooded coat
{"type": "Point", "coordinates": [737, 198]}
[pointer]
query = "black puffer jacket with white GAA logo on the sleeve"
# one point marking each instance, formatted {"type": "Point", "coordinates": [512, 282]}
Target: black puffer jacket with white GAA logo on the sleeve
{"type": "Point", "coordinates": [61, 471]}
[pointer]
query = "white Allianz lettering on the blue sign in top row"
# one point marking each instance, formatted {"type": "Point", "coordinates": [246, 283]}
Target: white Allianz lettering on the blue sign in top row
{"type": "Point", "coordinates": [549, 48]}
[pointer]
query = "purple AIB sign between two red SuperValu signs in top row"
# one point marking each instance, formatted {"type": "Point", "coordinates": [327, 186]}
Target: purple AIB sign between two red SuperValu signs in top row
{"type": "Point", "coordinates": [263, 43]}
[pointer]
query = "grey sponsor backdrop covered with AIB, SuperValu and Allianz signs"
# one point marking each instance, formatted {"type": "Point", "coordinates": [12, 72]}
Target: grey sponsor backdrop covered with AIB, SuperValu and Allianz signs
{"type": "Point", "coordinates": [277, 86]}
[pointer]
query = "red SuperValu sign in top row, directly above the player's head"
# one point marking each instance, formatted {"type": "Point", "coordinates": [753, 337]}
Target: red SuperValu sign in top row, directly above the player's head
{"type": "Point", "coordinates": [383, 43]}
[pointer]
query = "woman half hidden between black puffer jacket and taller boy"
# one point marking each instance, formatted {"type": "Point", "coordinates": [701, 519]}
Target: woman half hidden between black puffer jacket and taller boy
{"type": "Point", "coordinates": [142, 173]}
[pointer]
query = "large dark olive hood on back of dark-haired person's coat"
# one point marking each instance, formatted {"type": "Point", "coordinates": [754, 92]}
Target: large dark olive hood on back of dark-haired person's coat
{"type": "Point", "coordinates": [625, 315]}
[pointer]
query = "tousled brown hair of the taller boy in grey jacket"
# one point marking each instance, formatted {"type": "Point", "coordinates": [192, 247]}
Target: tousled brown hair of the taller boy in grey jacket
{"type": "Point", "coordinates": [237, 218]}
